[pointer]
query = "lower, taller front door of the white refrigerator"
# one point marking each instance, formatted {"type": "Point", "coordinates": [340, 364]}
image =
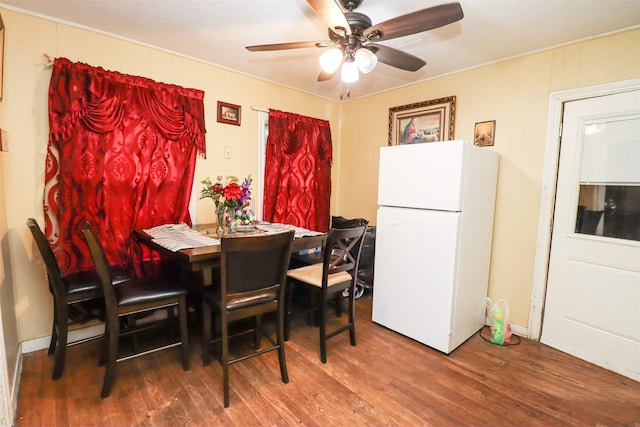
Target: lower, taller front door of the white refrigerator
{"type": "Point", "coordinates": [415, 267]}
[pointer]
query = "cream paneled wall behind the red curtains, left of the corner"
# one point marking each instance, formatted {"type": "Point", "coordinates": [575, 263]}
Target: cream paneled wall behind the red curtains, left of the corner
{"type": "Point", "coordinates": [25, 120]}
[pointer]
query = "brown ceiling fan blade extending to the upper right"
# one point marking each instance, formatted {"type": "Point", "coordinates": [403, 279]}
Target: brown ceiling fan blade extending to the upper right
{"type": "Point", "coordinates": [417, 22]}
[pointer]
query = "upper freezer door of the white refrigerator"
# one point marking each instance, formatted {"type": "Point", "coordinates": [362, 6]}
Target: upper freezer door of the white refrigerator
{"type": "Point", "coordinates": [423, 176]}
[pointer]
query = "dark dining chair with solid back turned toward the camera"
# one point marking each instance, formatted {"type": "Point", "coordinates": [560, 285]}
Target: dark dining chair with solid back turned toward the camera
{"type": "Point", "coordinates": [253, 272]}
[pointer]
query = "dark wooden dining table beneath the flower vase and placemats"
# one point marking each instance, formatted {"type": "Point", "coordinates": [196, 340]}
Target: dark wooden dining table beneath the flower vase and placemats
{"type": "Point", "coordinates": [203, 259]}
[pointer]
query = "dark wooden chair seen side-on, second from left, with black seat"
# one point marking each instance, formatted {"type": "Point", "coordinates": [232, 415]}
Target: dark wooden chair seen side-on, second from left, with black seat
{"type": "Point", "coordinates": [134, 297]}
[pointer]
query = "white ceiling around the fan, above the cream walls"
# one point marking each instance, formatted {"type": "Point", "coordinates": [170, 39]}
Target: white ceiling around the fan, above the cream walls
{"type": "Point", "coordinates": [216, 31]}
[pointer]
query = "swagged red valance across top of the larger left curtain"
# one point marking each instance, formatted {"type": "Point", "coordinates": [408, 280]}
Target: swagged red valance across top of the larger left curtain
{"type": "Point", "coordinates": [101, 98]}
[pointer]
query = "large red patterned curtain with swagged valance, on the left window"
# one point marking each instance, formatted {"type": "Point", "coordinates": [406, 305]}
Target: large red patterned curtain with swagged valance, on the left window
{"type": "Point", "coordinates": [121, 155]}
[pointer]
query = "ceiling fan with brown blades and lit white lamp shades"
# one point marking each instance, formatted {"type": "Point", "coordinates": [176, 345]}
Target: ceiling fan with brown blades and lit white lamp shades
{"type": "Point", "coordinates": [352, 37]}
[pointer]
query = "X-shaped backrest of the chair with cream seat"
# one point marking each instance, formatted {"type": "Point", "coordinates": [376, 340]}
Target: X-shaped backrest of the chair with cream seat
{"type": "Point", "coordinates": [342, 251]}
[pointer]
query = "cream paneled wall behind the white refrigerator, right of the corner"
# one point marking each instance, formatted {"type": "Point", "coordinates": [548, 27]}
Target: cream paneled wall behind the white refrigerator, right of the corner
{"type": "Point", "coordinates": [515, 93]}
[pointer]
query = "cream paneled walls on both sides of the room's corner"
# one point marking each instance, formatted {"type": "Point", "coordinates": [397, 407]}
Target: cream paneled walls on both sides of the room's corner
{"type": "Point", "coordinates": [515, 93]}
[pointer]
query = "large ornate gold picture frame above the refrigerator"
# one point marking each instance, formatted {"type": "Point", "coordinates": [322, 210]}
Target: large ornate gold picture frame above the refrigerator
{"type": "Point", "coordinates": [427, 121]}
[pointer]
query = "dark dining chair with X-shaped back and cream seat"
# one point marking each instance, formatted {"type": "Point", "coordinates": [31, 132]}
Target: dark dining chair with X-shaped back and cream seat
{"type": "Point", "coordinates": [337, 273]}
